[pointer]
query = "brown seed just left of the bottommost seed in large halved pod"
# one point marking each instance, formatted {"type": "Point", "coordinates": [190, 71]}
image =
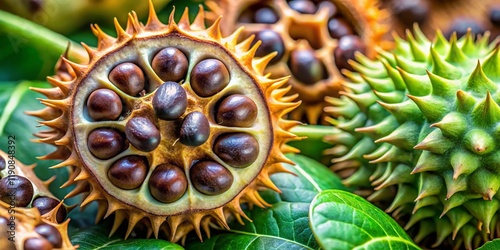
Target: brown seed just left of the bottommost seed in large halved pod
{"type": "Point", "coordinates": [129, 172]}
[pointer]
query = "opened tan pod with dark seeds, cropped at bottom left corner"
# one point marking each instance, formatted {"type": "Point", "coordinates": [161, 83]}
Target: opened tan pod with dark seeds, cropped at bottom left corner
{"type": "Point", "coordinates": [30, 216]}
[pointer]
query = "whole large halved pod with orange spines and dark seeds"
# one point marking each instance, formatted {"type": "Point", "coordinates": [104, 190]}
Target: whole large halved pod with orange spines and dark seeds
{"type": "Point", "coordinates": [202, 96]}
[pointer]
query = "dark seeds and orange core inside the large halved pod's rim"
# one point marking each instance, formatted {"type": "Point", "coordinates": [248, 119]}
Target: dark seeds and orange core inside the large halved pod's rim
{"type": "Point", "coordinates": [170, 125]}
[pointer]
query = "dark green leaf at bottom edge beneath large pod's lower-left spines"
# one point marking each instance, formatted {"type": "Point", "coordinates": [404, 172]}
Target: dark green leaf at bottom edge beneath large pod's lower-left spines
{"type": "Point", "coordinates": [96, 237]}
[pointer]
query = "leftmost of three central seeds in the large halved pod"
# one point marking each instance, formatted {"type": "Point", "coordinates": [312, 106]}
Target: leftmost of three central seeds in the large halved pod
{"type": "Point", "coordinates": [142, 134]}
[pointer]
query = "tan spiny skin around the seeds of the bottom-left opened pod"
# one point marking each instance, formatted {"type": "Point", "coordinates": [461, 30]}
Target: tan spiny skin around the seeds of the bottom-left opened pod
{"type": "Point", "coordinates": [27, 218]}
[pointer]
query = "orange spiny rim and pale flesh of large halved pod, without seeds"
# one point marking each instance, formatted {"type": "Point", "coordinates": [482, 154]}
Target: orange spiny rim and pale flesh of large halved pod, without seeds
{"type": "Point", "coordinates": [68, 125]}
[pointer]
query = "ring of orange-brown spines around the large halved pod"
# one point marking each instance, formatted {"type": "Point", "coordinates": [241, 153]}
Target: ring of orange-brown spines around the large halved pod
{"type": "Point", "coordinates": [59, 102]}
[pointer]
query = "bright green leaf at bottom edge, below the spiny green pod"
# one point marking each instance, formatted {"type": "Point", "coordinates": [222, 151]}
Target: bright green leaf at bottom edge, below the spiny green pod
{"type": "Point", "coordinates": [342, 220]}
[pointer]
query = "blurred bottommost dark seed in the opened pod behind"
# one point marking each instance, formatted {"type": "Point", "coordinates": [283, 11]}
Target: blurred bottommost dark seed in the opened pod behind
{"type": "Point", "coordinates": [305, 67]}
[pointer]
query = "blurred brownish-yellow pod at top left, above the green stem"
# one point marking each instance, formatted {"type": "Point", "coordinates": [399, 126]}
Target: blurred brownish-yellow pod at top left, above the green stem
{"type": "Point", "coordinates": [55, 13]}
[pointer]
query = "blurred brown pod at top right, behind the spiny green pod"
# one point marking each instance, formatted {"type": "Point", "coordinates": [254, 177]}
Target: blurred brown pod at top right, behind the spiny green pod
{"type": "Point", "coordinates": [448, 15]}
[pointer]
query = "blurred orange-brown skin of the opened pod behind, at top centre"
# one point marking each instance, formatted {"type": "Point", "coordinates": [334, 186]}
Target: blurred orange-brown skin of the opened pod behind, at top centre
{"type": "Point", "coordinates": [366, 18]}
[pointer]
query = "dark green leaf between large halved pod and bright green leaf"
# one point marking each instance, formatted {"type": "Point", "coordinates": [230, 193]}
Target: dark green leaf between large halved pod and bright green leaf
{"type": "Point", "coordinates": [286, 224]}
